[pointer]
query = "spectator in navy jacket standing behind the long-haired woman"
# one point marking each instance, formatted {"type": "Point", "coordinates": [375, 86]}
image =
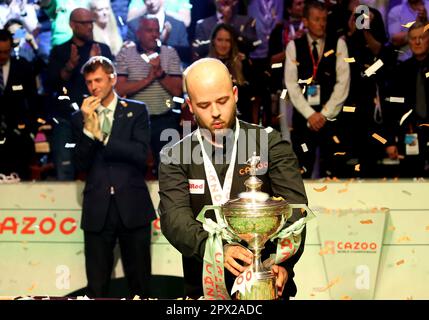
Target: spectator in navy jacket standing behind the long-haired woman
{"type": "Point", "coordinates": [244, 29]}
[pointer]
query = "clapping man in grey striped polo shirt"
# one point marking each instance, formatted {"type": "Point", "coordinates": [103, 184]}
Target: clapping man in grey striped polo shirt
{"type": "Point", "coordinates": [151, 74]}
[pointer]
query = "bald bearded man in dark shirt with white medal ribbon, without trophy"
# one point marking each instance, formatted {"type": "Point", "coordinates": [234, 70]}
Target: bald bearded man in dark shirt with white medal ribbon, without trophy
{"type": "Point", "coordinates": [185, 189]}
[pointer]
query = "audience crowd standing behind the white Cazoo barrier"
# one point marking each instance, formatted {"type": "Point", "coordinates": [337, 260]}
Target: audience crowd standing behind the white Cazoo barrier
{"type": "Point", "coordinates": [346, 81]}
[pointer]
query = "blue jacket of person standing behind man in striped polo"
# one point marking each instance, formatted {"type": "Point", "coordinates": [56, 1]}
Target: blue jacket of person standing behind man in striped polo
{"type": "Point", "coordinates": [178, 38]}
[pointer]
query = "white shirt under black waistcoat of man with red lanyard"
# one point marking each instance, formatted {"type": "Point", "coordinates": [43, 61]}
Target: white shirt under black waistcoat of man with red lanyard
{"type": "Point", "coordinates": [341, 89]}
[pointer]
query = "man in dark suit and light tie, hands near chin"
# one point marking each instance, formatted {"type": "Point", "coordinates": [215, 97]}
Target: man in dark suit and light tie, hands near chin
{"type": "Point", "coordinates": [112, 139]}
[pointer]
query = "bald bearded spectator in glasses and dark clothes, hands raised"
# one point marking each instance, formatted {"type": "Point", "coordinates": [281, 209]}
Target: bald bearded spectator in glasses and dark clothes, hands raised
{"type": "Point", "coordinates": [64, 66]}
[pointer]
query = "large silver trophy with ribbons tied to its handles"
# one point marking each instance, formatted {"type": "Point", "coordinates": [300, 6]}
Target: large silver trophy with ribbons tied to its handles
{"type": "Point", "coordinates": [255, 218]}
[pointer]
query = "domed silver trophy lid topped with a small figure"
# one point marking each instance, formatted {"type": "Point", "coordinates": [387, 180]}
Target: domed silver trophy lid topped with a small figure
{"type": "Point", "coordinates": [253, 198]}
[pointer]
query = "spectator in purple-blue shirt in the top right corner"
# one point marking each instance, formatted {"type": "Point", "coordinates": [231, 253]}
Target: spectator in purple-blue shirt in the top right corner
{"type": "Point", "coordinates": [401, 15]}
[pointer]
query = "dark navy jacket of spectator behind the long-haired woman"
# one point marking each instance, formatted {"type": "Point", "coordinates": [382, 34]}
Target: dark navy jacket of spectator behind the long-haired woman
{"type": "Point", "coordinates": [244, 27]}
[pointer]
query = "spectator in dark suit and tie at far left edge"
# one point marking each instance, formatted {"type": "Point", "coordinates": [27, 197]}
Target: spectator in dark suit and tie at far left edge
{"type": "Point", "coordinates": [17, 112]}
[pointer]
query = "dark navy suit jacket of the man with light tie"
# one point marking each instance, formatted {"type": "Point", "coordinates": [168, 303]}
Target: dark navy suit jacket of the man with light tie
{"type": "Point", "coordinates": [120, 164]}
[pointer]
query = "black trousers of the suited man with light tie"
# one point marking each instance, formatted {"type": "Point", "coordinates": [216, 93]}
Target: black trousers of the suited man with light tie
{"type": "Point", "coordinates": [135, 255]}
